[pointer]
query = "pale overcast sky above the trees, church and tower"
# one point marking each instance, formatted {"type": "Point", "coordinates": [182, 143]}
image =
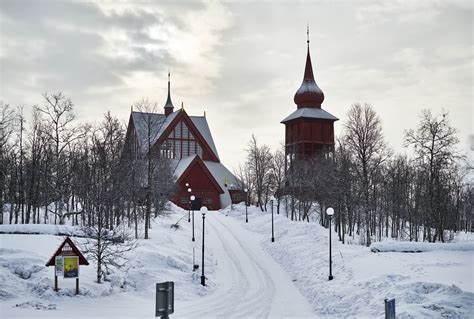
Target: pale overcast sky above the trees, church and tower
{"type": "Point", "coordinates": [242, 61]}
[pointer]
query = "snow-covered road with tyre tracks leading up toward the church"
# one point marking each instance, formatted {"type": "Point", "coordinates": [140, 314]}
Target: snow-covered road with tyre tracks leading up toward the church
{"type": "Point", "coordinates": [250, 283]}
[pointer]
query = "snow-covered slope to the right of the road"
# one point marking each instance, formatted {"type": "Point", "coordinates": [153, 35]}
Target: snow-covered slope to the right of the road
{"type": "Point", "coordinates": [427, 285]}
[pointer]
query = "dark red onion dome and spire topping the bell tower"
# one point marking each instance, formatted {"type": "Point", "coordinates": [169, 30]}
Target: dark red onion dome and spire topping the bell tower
{"type": "Point", "coordinates": [309, 94]}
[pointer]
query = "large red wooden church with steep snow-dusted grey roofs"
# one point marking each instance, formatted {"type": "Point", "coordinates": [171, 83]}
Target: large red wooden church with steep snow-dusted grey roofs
{"type": "Point", "coordinates": [188, 144]}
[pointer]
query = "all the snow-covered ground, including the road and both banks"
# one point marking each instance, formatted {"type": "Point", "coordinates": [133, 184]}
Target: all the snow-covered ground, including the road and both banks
{"type": "Point", "coordinates": [247, 275]}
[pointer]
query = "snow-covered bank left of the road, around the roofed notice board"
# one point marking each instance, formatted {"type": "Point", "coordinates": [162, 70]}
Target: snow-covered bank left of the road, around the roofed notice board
{"type": "Point", "coordinates": [27, 285]}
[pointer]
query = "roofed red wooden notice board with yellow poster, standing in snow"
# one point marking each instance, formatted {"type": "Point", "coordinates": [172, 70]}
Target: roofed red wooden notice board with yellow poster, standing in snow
{"type": "Point", "coordinates": [66, 261]}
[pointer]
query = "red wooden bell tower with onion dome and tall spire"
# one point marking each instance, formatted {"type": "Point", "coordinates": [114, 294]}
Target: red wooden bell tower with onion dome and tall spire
{"type": "Point", "coordinates": [309, 129]}
